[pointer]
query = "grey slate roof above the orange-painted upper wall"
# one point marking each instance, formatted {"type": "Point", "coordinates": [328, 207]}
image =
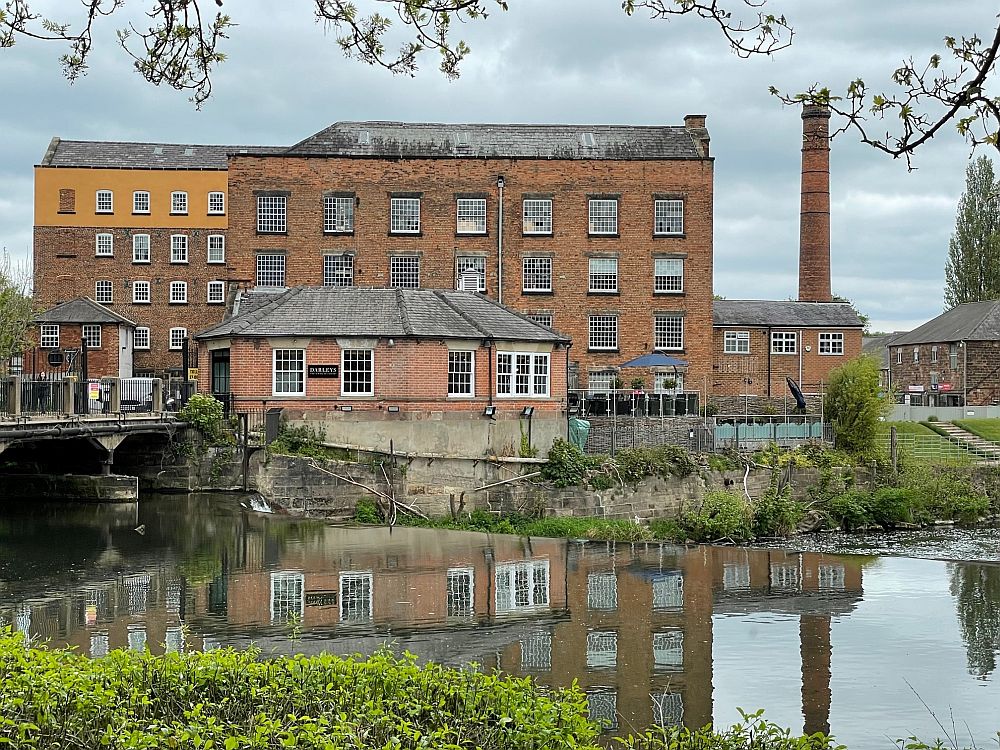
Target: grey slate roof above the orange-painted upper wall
{"type": "Point", "coordinates": [125, 155]}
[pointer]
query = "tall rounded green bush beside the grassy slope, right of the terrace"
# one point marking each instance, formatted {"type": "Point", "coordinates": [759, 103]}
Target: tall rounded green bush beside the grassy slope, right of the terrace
{"type": "Point", "coordinates": [855, 406]}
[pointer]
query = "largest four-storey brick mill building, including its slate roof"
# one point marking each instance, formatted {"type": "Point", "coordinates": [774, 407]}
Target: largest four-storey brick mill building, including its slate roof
{"type": "Point", "coordinates": [602, 232]}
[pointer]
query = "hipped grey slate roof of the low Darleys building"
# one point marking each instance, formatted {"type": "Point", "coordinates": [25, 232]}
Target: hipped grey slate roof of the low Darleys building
{"type": "Point", "coordinates": [396, 313]}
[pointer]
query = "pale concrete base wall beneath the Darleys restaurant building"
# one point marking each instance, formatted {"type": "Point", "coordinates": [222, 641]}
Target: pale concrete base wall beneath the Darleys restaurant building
{"type": "Point", "coordinates": [440, 432]}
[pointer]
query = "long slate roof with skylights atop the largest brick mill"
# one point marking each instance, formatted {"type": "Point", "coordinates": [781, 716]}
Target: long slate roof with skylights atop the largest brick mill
{"type": "Point", "coordinates": [417, 140]}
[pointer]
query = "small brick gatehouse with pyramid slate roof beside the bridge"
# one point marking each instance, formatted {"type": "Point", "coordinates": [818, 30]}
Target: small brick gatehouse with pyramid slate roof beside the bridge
{"type": "Point", "coordinates": [60, 330]}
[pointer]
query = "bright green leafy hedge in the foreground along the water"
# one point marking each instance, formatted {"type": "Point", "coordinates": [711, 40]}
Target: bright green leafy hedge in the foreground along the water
{"type": "Point", "coordinates": [232, 699]}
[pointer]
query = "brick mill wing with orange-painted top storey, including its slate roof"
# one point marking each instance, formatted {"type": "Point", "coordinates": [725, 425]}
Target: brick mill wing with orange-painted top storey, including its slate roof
{"type": "Point", "coordinates": [141, 229]}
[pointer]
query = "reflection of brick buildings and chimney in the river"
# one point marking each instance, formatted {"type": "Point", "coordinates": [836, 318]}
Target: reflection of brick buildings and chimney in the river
{"type": "Point", "coordinates": [631, 623]}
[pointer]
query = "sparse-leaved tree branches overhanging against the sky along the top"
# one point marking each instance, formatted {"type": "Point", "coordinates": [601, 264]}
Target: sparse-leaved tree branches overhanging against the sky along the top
{"type": "Point", "coordinates": [177, 43]}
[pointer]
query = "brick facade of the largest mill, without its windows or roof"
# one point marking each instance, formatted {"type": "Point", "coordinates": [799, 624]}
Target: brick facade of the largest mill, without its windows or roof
{"type": "Point", "coordinates": [568, 182]}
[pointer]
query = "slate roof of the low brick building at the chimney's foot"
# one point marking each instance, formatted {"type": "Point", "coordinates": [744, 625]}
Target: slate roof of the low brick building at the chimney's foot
{"type": "Point", "coordinates": [772, 313]}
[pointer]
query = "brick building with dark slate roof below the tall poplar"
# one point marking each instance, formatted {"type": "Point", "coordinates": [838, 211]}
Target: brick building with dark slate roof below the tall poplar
{"type": "Point", "coordinates": [952, 360]}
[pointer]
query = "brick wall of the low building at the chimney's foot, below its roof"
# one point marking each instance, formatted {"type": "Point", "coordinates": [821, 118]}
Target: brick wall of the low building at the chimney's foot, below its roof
{"type": "Point", "coordinates": [735, 374]}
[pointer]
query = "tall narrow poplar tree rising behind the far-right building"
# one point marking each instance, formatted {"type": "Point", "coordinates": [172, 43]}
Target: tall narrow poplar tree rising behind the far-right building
{"type": "Point", "coordinates": [972, 272]}
